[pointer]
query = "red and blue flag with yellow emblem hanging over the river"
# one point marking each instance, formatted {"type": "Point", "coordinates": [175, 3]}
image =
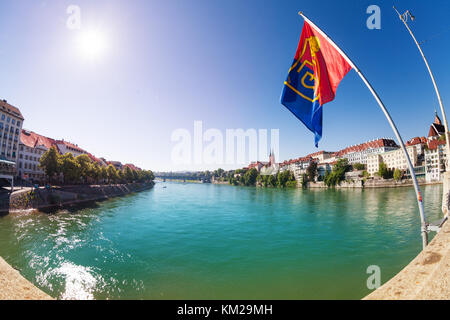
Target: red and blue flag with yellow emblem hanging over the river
{"type": "Point", "coordinates": [316, 72]}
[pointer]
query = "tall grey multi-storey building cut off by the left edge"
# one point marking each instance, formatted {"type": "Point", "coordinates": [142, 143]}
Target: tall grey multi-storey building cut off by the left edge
{"type": "Point", "coordinates": [11, 121]}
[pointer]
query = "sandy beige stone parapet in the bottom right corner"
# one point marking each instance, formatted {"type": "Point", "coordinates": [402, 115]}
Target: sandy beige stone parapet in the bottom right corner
{"type": "Point", "coordinates": [426, 277]}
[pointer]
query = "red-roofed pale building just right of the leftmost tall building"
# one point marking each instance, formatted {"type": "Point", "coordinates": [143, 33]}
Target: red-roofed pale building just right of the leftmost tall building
{"type": "Point", "coordinates": [32, 146]}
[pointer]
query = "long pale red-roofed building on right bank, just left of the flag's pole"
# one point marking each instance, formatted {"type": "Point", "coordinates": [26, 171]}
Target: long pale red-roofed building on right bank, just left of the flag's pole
{"type": "Point", "coordinates": [359, 153]}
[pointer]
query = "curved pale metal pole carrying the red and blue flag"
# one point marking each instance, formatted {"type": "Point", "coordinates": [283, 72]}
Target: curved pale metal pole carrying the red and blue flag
{"type": "Point", "coordinates": [392, 124]}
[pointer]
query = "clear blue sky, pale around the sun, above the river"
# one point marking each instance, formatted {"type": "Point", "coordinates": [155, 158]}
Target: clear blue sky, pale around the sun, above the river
{"type": "Point", "coordinates": [169, 63]}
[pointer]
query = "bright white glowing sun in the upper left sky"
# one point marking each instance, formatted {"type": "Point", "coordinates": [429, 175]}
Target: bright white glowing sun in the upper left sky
{"type": "Point", "coordinates": [92, 44]}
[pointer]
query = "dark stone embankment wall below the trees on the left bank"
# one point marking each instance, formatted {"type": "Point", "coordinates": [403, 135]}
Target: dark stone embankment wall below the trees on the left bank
{"type": "Point", "coordinates": [59, 197]}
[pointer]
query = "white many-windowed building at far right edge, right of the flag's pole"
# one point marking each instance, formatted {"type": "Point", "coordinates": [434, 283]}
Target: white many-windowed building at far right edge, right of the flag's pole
{"type": "Point", "coordinates": [435, 160]}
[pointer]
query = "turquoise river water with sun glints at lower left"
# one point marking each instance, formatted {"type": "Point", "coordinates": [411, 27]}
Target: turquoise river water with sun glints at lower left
{"type": "Point", "coordinates": [201, 241]}
